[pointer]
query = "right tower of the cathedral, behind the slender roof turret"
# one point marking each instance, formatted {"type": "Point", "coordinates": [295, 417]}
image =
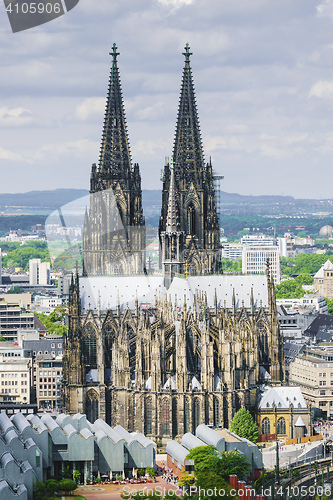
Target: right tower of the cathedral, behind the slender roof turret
{"type": "Point", "coordinates": [194, 185]}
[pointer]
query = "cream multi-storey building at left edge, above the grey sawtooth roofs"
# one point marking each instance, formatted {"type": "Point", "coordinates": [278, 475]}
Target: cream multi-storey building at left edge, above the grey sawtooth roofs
{"type": "Point", "coordinates": [15, 380]}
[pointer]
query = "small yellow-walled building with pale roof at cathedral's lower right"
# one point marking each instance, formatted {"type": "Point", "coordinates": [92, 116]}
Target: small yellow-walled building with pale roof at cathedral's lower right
{"type": "Point", "coordinates": [283, 413]}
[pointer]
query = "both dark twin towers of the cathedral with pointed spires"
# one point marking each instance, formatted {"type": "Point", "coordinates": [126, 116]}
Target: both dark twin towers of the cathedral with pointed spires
{"type": "Point", "coordinates": [188, 196]}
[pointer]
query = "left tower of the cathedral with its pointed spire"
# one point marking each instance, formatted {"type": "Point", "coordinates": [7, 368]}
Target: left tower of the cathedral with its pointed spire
{"type": "Point", "coordinates": [114, 230]}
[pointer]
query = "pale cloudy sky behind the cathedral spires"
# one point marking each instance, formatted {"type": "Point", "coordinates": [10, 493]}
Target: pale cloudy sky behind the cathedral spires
{"type": "Point", "coordinates": [263, 73]}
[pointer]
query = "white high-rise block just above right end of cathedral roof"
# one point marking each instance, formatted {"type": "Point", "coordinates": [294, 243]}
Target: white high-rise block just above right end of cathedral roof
{"type": "Point", "coordinates": [254, 259]}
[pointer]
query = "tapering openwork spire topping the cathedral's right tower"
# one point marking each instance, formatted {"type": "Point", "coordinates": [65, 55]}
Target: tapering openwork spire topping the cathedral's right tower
{"type": "Point", "coordinates": [188, 151]}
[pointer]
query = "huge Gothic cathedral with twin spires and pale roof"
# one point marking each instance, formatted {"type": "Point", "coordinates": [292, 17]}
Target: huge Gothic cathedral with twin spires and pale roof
{"type": "Point", "coordinates": [161, 353]}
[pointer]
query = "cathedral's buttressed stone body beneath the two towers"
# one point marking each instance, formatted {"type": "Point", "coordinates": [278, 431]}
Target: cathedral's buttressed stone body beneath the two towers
{"type": "Point", "coordinates": [164, 370]}
